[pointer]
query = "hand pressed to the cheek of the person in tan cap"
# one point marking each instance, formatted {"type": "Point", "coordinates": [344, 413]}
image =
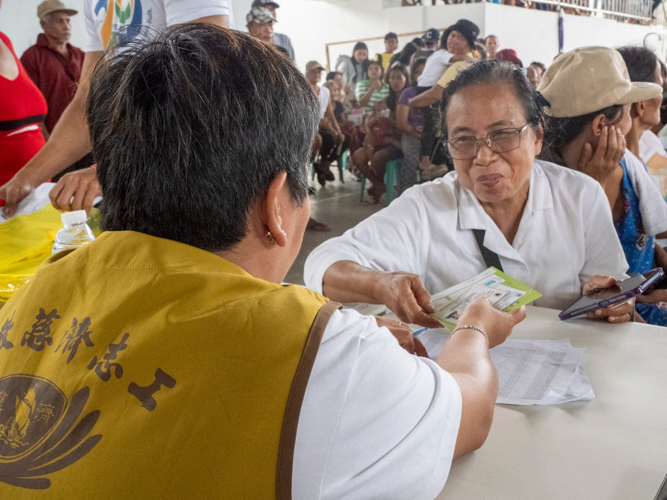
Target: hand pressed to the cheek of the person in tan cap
{"type": "Point", "coordinates": [608, 154]}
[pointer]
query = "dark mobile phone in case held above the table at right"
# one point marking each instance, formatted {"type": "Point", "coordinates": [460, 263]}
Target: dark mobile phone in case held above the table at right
{"type": "Point", "coordinates": [620, 292]}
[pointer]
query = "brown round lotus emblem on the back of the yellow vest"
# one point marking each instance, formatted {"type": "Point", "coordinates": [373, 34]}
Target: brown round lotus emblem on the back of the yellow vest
{"type": "Point", "coordinates": [40, 432]}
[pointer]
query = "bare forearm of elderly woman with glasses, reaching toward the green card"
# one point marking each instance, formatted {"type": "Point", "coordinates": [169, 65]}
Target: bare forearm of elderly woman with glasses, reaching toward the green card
{"type": "Point", "coordinates": [347, 281]}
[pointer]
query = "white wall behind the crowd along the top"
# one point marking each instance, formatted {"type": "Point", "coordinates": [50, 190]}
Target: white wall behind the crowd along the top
{"type": "Point", "coordinates": [312, 23]}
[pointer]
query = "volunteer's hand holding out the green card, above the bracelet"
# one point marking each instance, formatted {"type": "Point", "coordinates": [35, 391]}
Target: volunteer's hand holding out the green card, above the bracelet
{"type": "Point", "coordinates": [498, 325]}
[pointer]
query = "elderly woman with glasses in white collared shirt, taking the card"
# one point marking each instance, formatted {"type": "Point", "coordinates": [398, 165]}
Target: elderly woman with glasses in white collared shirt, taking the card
{"type": "Point", "coordinates": [550, 227]}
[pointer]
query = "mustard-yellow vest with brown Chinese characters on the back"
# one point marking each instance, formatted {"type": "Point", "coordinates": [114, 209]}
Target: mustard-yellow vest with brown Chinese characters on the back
{"type": "Point", "coordinates": [140, 368]}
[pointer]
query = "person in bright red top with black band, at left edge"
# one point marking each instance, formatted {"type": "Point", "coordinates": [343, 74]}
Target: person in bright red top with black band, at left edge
{"type": "Point", "coordinates": [22, 109]}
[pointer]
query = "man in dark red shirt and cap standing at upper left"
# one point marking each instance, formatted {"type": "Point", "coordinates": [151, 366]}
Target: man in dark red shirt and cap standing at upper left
{"type": "Point", "coordinates": [54, 66]}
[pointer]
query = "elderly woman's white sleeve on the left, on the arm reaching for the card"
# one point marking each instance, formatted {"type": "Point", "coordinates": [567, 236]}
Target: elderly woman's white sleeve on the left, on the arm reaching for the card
{"type": "Point", "coordinates": [394, 239]}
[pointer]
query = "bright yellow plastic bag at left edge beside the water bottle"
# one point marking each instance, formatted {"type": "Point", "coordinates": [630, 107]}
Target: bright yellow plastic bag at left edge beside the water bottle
{"type": "Point", "coordinates": [25, 242]}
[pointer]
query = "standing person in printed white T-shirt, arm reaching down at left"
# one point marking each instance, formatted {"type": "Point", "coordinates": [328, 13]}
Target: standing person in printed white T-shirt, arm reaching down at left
{"type": "Point", "coordinates": [106, 26]}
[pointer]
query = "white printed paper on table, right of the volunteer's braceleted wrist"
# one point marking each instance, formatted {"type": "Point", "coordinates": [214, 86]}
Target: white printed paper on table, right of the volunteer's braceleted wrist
{"type": "Point", "coordinates": [540, 372]}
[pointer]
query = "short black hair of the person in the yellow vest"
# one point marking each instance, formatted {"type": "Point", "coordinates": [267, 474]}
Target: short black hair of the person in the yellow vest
{"type": "Point", "coordinates": [190, 128]}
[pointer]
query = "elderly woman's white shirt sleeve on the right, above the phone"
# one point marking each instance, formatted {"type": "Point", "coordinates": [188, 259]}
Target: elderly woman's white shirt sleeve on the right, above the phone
{"type": "Point", "coordinates": [604, 253]}
